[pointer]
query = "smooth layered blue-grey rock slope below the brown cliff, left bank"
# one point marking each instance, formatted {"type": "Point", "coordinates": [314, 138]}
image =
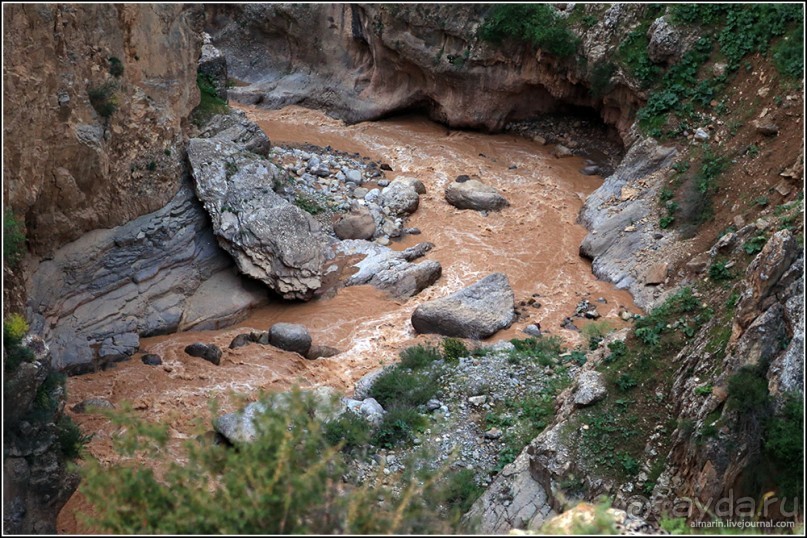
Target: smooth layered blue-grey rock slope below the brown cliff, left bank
{"type": "Point", "coordinates": [156, 274]}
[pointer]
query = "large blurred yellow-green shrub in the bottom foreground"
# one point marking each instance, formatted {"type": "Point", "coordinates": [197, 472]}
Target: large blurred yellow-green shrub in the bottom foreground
{"type": "Point", "coordinates": [288, 481]}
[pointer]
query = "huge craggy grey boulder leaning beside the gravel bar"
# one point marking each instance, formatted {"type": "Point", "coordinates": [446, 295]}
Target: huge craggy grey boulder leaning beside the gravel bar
{"type": "Point", "coordinates": [270, 239]}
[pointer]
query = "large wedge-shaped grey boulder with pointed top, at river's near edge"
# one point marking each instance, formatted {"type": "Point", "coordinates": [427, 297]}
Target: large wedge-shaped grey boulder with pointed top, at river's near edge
{"type": "Point", "coordinates": [477, 311]}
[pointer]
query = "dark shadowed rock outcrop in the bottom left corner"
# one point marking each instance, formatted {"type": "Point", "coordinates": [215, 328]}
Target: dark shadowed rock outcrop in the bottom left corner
{"type": "Point", "coordinates": [36, 481]}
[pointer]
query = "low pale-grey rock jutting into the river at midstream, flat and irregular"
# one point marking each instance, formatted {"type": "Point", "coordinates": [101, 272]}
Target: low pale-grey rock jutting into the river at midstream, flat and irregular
{"type": "Point", "coordinates": [389, 270]}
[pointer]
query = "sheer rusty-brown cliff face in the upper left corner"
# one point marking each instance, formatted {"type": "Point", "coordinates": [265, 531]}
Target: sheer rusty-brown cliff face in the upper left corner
{"type": "Point", "coordinates": [67, 169]}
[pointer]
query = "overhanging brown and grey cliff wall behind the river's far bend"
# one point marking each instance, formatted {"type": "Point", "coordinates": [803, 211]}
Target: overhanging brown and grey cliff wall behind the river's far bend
{"type": "Point", "coordinates": [362, 62]}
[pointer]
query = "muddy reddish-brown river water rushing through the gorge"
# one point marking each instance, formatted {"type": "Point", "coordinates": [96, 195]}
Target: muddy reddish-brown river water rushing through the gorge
{"type": "Point", "coordinates": [534, 241]}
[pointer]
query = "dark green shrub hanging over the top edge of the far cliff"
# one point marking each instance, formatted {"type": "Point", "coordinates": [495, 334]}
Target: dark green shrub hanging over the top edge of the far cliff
{"type": "Point", "coordinates": [536, 24]}
